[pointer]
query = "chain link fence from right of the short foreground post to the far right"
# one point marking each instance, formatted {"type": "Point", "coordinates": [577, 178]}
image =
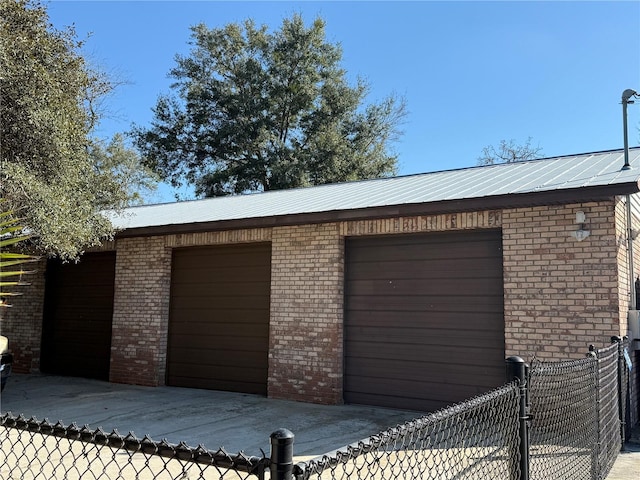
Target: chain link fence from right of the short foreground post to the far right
{"type": "Point", "coordinates": [573, 428]}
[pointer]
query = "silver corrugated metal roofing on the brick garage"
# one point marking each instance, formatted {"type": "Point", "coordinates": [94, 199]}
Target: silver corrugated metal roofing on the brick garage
{"type": "Point", "coordinates": [545, 175]}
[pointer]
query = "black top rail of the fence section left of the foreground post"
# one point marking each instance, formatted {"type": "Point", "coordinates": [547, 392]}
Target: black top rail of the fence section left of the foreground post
{"type": "Point", "coordinates": [131, 443]}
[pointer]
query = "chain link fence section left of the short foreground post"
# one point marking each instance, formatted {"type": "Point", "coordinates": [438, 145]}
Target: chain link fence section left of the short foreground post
{"type": "Point", "coordinates": [41, 451]}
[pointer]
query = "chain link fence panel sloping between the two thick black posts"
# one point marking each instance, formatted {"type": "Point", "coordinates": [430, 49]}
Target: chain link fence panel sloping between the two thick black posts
{"type": "Point", "coordinates": [476, 440]}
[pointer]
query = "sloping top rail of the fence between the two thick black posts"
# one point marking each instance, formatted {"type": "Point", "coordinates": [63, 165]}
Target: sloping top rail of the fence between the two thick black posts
{"type": "Point", "coordinates": [387, 437]}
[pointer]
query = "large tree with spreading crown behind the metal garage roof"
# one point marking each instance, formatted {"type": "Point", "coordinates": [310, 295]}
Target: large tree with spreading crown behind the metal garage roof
{"type": "Point", "coordinates": [258, 111]}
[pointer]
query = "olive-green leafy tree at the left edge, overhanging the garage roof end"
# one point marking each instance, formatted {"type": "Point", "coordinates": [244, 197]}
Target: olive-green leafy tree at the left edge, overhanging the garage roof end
{"type": "Point", "coordinates": [49, 107]}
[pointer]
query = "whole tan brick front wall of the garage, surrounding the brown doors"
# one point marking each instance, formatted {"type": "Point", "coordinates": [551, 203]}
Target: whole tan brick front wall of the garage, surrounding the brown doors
{"type": "Point", "coordinates": [560, 294]}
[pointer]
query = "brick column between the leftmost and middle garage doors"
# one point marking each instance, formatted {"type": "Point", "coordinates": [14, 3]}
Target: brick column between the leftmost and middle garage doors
{"type": "Point", "coordinates": [140, 311]}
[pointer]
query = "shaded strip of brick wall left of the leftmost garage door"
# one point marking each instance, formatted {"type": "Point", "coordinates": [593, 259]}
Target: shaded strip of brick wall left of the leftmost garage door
{"type": "Point", "coordinates": [22, 322]}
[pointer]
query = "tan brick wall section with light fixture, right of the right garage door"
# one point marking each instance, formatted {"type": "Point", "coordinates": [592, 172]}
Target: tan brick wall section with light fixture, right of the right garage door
{"type": "Point", "coordinates": [560, 294]}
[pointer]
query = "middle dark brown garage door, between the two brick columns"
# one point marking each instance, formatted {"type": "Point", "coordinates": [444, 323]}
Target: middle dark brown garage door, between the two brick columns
{"type": "Point", "coordinates": [219, 318]}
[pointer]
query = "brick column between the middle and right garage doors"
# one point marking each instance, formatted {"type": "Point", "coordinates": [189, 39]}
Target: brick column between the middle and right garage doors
{"type": "Point", "coordinates": [305, 338]}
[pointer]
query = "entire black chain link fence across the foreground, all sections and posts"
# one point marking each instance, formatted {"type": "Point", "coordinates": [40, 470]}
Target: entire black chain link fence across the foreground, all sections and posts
{"type": "Point", "coordinates": [563, 420]}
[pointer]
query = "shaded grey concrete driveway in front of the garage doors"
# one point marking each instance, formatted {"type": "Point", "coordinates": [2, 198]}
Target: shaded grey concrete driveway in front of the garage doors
{"type": "Point", "coordinates": [235, 421]}
